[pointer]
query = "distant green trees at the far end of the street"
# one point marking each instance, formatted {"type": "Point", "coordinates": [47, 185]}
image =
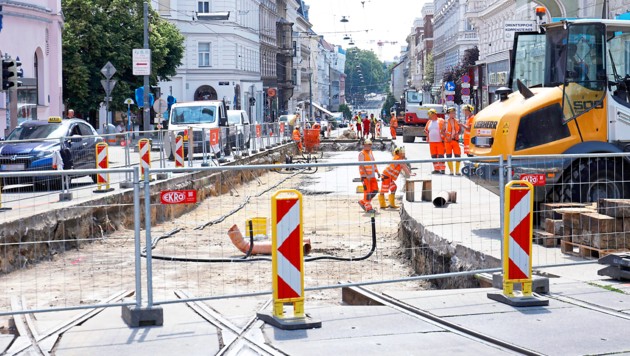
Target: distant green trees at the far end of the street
{"type": "Point", "coordinates": [375, 75]}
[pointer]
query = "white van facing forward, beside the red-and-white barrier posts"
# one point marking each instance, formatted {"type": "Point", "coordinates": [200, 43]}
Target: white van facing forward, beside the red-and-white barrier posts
{"type": "Point", "coordinates": [198, 115]}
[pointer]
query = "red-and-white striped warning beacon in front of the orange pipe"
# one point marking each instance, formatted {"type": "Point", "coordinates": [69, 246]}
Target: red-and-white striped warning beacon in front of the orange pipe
{"type": "Point", "coordinates": [287, 256]}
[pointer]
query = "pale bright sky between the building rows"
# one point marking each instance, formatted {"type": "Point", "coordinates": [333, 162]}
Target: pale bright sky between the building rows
{"type": "Point", "coordinates": [376, 20]}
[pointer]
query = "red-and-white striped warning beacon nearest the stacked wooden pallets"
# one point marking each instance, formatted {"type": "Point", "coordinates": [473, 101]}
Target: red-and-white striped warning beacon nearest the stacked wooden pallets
{"type": "Point", "coordinates": [517, 247]}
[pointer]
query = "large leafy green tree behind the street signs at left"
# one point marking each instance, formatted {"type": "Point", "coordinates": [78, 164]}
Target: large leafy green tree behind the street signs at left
{"type": "Point", "coordinates": [98, 31]}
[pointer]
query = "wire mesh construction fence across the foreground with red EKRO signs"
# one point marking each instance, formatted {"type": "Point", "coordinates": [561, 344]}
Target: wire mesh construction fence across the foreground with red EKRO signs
{"type": "Point", "coordinates": [204, 247]}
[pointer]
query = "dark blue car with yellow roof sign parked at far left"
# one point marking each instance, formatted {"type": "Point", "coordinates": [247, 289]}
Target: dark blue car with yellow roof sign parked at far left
{"type": "Point", "coordinates": [32, 146]}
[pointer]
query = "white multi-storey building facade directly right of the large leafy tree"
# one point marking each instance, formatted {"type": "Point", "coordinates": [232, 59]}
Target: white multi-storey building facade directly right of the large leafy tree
{"type": "Point", "coordinates": [222, 58]}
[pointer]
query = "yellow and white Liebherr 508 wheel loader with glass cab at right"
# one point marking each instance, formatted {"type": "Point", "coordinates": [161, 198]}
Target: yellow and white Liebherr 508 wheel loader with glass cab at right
{"type": "Point", "coordinates": [569, 93]}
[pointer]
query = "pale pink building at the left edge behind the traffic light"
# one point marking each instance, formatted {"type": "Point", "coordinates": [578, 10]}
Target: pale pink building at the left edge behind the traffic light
{"type": "Point", "coordinates": [32, 31]}
